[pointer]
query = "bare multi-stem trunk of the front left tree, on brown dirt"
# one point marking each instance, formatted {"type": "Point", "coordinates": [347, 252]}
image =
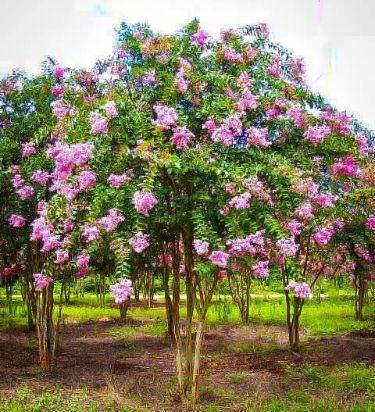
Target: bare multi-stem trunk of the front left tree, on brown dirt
{"type": "Point", "coordinates": [45, 328]}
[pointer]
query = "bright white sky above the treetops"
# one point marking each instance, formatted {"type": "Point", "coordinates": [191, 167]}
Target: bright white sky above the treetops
{"type": "Point", "coordinates": [335, 37]}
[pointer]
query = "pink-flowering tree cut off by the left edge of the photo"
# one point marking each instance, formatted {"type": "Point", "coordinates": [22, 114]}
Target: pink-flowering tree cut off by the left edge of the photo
{"type": "Point", "coordinates": [26, 121]}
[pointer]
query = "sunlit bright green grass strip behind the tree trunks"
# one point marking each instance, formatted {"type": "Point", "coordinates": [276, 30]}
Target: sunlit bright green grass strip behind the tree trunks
{"type": "Point", "coordinates": [333, 315]}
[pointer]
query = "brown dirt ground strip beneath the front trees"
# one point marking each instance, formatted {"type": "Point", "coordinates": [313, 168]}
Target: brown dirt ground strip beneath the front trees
{"type": "Point", "coordinates": [88, 357]}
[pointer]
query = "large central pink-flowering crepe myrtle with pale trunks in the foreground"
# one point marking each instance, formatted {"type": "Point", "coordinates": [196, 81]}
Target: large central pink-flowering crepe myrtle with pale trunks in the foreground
{"type": "Point", "coordinates": [213, 113]}
